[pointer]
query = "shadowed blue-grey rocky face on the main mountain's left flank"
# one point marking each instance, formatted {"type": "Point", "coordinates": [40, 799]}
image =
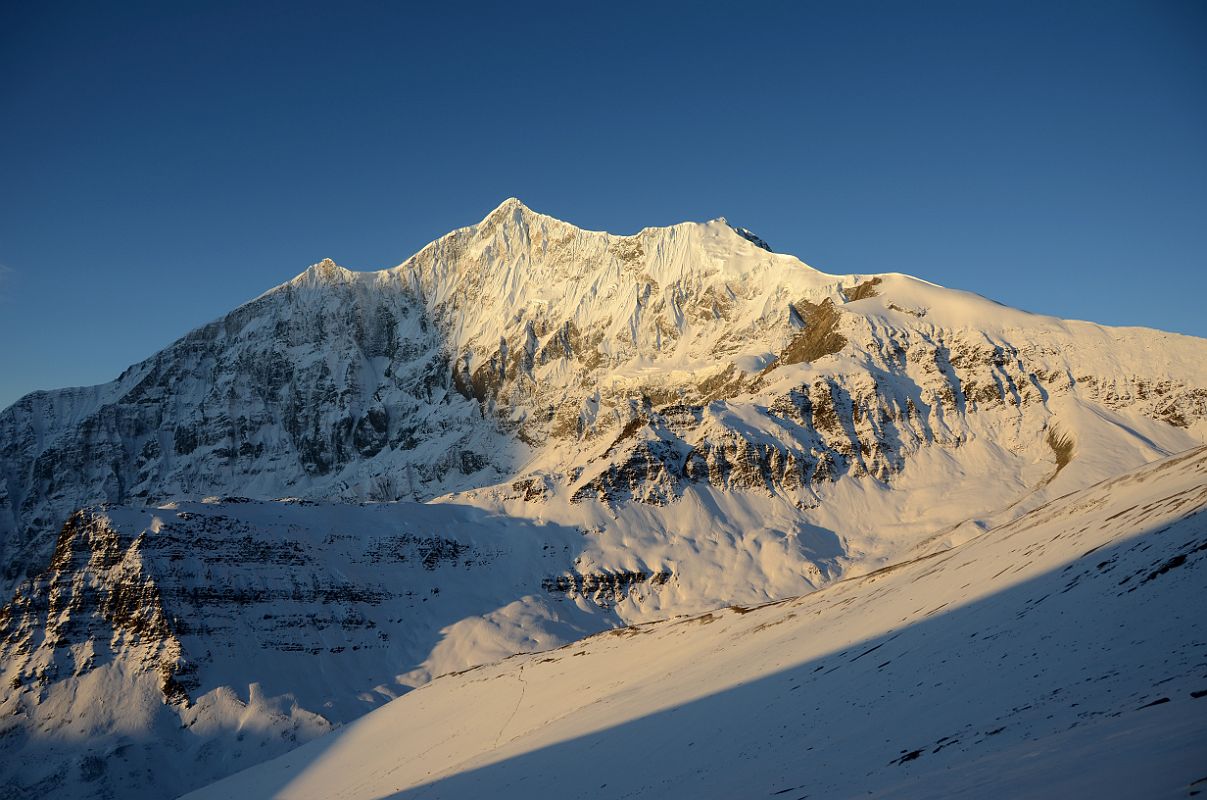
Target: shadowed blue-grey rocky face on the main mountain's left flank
{"type": "Point", "coordinates": [324, 387]}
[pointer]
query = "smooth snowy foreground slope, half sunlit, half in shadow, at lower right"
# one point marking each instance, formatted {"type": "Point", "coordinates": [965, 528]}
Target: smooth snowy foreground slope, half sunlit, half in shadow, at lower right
{"type": "Point", "coordinates": [1062, 655]}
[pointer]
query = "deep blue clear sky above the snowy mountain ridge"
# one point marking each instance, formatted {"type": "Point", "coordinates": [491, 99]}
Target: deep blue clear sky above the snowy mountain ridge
{"type": "Point", "coordinates": [161, 165]}
